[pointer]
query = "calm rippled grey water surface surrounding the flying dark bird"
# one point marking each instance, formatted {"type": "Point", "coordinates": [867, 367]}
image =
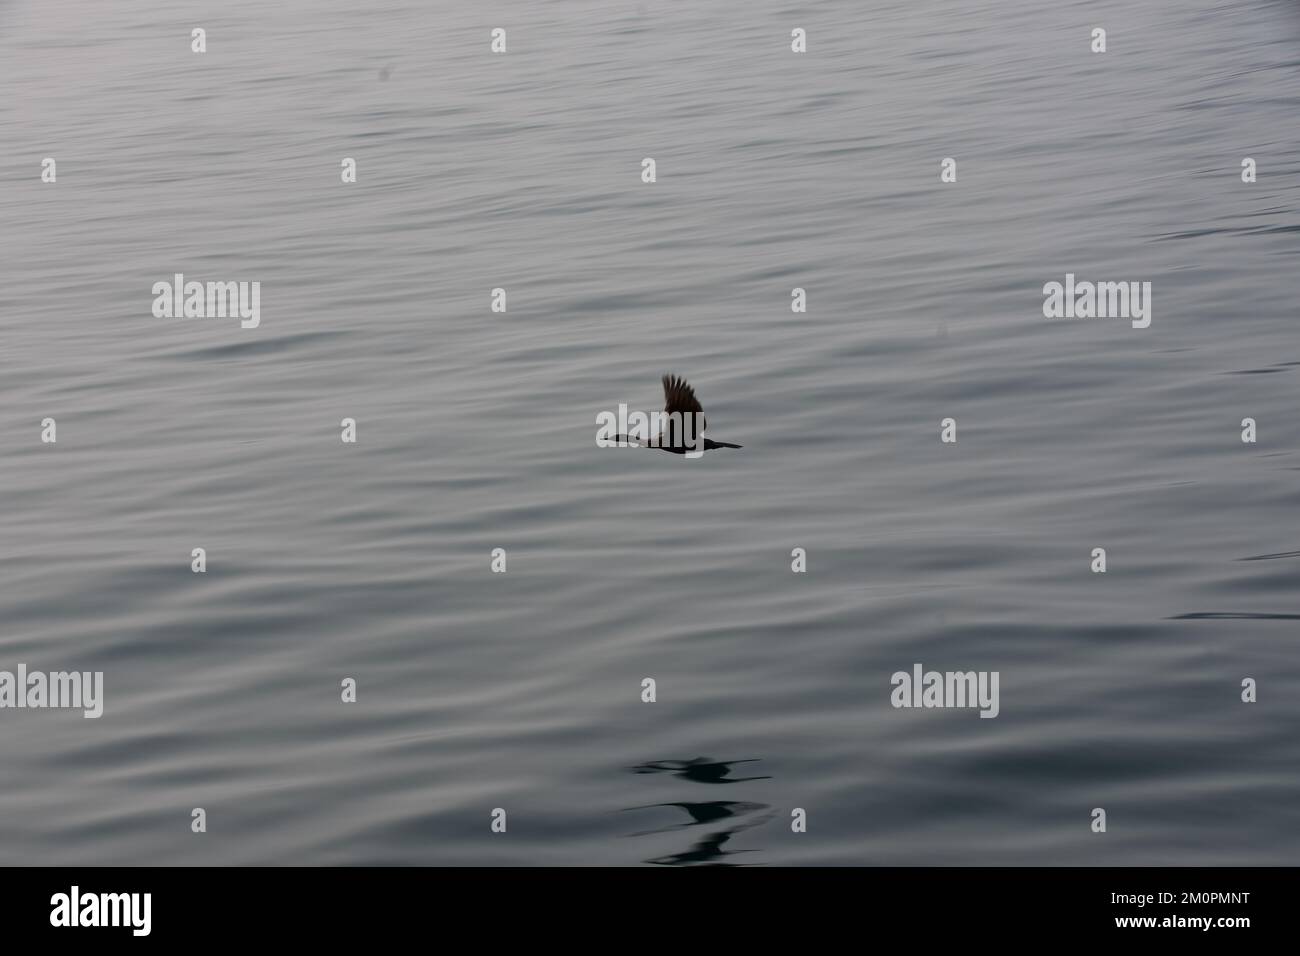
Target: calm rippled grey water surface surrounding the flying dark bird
{"type": "Point", "coordinates": [476, 431]}
